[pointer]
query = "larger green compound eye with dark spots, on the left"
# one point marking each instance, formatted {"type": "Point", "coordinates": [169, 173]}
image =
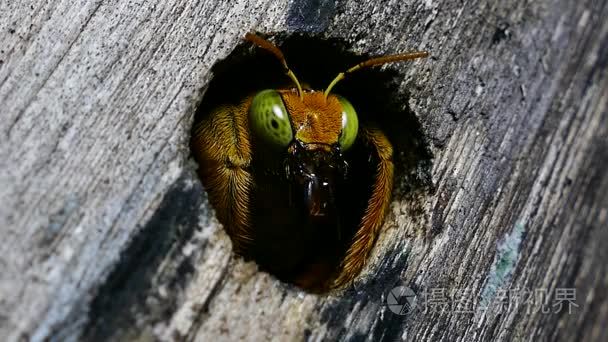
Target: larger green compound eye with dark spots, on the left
{"type": "Point", "coordinates": [269, 119]}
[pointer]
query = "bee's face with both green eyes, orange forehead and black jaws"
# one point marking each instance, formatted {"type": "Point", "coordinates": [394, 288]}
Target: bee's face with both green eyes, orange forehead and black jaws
{"type": "Point", "coordinates": [314, 131]}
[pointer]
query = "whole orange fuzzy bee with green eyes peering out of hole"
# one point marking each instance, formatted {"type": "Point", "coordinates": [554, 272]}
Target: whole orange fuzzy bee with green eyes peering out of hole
{"type": "Point", "coordinates": [299, 184]}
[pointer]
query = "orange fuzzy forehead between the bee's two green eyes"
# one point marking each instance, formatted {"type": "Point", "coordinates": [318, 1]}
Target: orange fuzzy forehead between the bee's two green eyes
{"type": "Point", "coordinates": [315, 119]}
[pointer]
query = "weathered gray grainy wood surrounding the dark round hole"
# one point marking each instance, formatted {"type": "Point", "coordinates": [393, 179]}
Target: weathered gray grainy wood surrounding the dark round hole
{"type": "Point", "coordinates": [99, 238]}
